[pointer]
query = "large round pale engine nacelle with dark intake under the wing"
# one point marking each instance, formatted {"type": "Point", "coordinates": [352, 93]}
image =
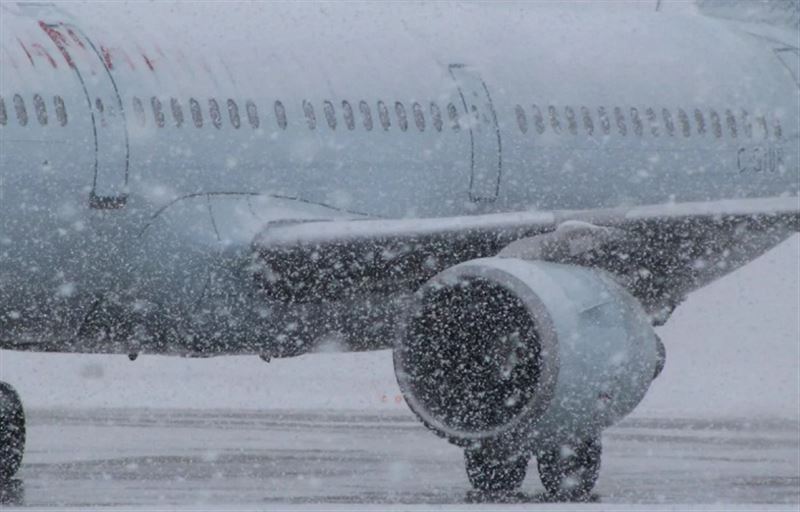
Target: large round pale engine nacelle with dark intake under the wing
{"type": "Point", "coordinates": [526, 351]}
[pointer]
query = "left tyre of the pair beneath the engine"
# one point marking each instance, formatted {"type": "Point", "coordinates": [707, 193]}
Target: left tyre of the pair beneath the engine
{"type": "Point", "coordinates": [490, 469]}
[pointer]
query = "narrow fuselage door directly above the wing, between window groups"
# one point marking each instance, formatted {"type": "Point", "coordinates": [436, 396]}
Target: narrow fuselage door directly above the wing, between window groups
{"type": "Point", "coordinates": [480, 120]}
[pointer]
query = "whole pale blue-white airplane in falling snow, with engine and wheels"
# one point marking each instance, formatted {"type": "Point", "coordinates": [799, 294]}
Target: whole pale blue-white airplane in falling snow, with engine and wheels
{"type": "Point", "coordinates": [509, 197]}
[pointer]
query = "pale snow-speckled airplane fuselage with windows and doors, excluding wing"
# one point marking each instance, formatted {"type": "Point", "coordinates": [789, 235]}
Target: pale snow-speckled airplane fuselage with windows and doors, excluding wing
{"type": "Point", "coordinates": [140, 157]}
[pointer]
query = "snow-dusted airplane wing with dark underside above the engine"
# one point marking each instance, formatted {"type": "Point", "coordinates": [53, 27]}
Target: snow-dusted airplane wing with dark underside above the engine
{"type": "Point", "coordinates": [660, 252]}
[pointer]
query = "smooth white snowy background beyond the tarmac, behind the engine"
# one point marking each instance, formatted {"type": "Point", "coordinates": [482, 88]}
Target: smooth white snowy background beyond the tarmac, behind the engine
{"type": "Point", "coordinates": [733, 350]}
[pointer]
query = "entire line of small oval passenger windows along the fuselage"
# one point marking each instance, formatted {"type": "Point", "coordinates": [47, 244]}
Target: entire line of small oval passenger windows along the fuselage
{"type": "Point", "coordinates": [559, 121]}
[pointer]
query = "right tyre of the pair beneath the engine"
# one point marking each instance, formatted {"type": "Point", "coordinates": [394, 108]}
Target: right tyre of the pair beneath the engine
{"type": "Point", "coordinates": [569, 473]}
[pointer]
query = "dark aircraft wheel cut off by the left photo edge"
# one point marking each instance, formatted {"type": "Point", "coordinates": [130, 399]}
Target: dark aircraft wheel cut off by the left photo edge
{"type": "Point", "coordinates": [12, 432]}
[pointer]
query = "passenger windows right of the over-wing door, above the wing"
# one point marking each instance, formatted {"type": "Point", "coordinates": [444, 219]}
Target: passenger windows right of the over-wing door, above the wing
{"type": "Point", "coordinates": [630, 120]}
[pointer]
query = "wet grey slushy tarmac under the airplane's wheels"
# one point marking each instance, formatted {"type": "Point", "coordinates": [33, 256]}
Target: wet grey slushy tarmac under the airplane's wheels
{"type": "Point", "coordinates": [218, 458]}
